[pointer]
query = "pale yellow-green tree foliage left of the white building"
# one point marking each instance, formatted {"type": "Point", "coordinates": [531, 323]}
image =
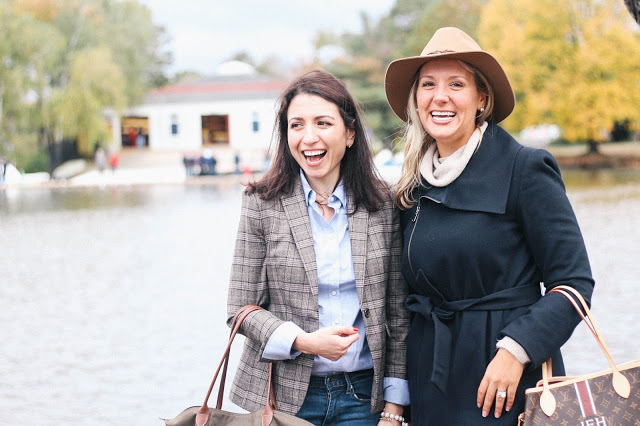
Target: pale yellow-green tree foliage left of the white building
{"type": "Point", "coordinates": [49, 86]}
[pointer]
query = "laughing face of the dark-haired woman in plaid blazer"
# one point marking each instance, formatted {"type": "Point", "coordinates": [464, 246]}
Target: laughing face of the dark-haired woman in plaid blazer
{"type": "Point", "coordinates": [318, 139]}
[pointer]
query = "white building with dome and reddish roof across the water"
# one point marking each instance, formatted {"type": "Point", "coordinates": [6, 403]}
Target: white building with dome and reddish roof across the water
{"type": "Point", "coordinates": [230, 113]}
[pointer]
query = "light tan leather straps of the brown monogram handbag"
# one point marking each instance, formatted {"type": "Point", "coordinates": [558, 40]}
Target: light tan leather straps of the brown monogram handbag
{"type": "Point", "coordinates": [620, 382]}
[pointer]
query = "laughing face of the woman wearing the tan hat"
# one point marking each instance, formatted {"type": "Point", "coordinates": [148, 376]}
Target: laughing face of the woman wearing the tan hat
{"type": "Point", "coordinates": [448, 102]}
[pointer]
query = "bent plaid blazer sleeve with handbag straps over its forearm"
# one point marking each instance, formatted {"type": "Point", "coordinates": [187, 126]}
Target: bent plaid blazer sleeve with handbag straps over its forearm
{"type": "Point", "coordinates": [249, 284]}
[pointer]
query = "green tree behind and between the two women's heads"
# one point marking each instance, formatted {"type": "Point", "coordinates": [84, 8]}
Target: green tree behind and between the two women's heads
{"type": "Point", "coordinates": [404, 31]}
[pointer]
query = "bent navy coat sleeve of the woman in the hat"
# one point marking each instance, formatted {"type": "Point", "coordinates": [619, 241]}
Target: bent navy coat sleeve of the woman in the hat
{"type": "Point", "coordinates": [552, 233]}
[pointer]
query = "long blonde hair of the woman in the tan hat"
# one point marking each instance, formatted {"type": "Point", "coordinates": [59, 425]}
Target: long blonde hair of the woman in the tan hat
{"type": "Point", "coordinates": [417, 140]}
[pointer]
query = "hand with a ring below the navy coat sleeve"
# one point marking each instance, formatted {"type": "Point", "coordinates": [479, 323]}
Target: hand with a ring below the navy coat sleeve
{"type": "Point", "coordinates": [502, 375]}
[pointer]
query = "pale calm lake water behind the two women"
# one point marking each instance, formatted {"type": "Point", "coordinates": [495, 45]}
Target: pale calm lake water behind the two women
{"type": "Point", "coordinates": [113, 300]}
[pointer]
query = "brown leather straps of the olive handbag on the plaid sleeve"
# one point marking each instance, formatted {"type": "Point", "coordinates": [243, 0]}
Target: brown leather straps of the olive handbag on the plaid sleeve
{"type": "Point", "coordinates": [202, 416]}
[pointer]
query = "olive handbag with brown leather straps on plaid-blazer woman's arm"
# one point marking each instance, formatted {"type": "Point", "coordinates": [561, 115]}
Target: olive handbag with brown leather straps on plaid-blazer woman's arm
{"type": "Point", "coordinates": [203, 416]}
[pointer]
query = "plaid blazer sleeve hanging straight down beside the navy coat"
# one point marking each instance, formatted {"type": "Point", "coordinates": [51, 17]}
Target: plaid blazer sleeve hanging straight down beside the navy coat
{"type": "Point", "coordinates": [398, 316]}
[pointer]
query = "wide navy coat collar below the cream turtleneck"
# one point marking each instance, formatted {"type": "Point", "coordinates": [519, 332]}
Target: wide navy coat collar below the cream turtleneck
{"type": "Point", "coordinates": [484, 184]}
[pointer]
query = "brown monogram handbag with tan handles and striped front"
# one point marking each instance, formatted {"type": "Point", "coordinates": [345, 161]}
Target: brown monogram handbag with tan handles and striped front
{"type": "Point", "coordinates": [610, 397]}
